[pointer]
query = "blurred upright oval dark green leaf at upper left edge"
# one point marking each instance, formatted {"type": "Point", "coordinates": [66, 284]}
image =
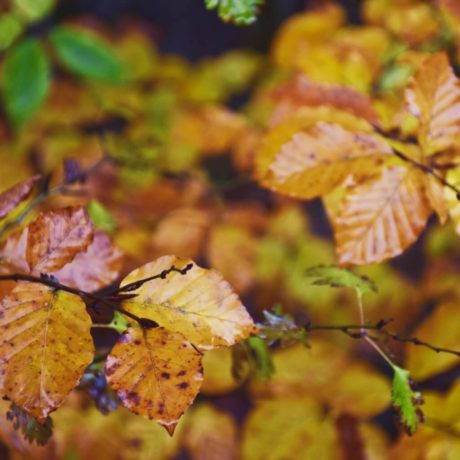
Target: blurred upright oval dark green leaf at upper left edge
{"type": "Point", "coordinates": [25, 81]}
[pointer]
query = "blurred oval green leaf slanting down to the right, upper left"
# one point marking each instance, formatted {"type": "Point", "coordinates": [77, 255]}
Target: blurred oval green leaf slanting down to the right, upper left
{"type": "Point", "coordinates": [86, 55]}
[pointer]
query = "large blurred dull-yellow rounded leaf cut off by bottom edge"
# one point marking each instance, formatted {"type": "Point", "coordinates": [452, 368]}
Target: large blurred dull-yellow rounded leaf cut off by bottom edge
{"type": "Point", "coordinates": [289, 428]}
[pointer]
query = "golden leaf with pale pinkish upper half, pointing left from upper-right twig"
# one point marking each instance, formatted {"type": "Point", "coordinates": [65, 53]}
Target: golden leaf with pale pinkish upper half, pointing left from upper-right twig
{"type": "Point", "coordinates": [311, 163]}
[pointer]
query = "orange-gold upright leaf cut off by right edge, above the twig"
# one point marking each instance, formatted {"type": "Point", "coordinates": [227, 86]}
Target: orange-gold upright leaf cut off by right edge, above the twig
{"type": "Point", "coordinates": [433, 96]}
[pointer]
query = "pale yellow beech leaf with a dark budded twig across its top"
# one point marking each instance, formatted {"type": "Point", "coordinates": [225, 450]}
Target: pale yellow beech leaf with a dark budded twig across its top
{"type": "Point", "coordinates": [199, 304]}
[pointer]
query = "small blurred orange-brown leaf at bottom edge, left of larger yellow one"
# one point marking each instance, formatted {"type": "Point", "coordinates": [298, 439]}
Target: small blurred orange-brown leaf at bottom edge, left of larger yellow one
{"type": "Point", "coordinates": [211, 434]}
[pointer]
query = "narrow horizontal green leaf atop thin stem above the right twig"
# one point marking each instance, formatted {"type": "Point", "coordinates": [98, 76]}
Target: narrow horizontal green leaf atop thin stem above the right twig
{"type": "Point", "coordinates": [340, 277]}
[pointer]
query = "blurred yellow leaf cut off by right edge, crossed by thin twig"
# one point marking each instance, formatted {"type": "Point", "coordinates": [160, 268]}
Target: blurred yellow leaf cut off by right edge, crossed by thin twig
{"type": "Point", "coordinates": [440, 329]}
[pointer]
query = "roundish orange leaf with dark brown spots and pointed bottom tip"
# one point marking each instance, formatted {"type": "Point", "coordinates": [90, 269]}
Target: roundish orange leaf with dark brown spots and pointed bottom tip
{"type": "Point", "coordinates": [156, 373]}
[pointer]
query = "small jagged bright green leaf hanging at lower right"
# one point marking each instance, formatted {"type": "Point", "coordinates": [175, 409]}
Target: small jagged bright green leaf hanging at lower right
{"type": "Point", "coordinates": [406, 401]}
